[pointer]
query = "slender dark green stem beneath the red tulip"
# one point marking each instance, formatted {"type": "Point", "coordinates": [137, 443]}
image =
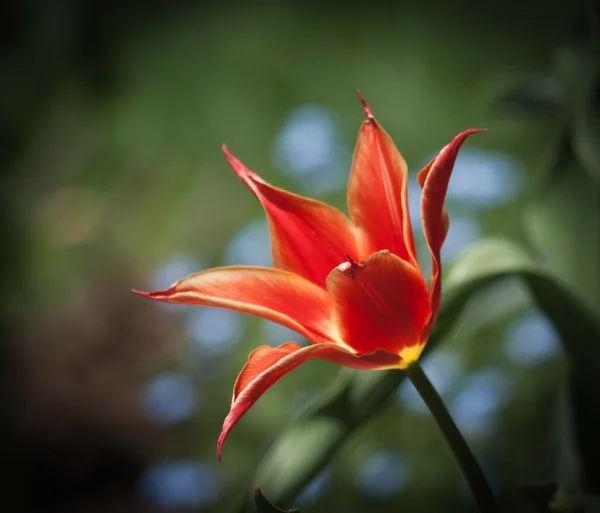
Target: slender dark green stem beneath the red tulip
{"type": "Point", "coordinates": [480, 488]}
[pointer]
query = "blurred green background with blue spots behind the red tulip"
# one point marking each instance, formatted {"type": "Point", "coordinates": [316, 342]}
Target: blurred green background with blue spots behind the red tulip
{"type": "Point", "coordinates": [113, 117]}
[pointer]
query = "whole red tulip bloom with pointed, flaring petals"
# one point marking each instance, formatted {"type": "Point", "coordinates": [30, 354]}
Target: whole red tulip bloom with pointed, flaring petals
{"type": "Point", "coordinates": [351, 285]}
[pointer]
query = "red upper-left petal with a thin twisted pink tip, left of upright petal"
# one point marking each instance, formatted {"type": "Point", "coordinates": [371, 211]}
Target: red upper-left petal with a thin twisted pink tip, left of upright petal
{"type": "Point", "coordinates": [308, 237]}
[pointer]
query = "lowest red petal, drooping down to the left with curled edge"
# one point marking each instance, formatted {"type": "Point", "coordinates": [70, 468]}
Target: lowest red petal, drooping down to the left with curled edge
{"type": "Point", "coordinates": [266, 365]}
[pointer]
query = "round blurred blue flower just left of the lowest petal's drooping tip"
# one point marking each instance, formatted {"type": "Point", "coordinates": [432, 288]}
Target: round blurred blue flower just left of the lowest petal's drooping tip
{"type": "Point", "coordinates": [169, 398]}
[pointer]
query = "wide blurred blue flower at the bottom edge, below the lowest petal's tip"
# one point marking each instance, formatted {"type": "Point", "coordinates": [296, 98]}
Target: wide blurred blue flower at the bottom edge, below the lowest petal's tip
{"type": "Point", "coordinates": [181, 484]}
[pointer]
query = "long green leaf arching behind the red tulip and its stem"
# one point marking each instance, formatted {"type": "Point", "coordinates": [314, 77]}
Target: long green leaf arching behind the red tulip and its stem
{"type": "Point", "coordinates": [306, 446]}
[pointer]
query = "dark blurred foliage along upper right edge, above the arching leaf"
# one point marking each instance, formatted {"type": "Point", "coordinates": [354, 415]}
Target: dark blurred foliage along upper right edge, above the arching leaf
{"type": "Point", "coordinates": [565, 211]}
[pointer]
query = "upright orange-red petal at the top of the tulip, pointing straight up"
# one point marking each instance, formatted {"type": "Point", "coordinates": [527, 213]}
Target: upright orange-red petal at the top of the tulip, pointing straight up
{"type": "Point", "coordinates": [378, 193]}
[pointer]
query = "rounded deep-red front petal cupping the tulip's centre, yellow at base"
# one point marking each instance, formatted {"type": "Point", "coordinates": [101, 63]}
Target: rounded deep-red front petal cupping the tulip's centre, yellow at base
{"type": "Point", "coordinates": [380, 303]}
